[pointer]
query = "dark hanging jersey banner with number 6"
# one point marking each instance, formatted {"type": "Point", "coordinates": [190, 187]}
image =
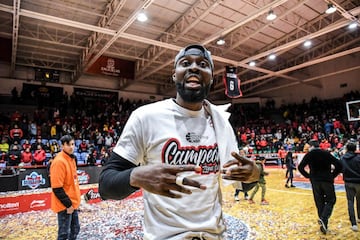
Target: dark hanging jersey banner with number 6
{"type": "Point", "coordinates": [232, 83]}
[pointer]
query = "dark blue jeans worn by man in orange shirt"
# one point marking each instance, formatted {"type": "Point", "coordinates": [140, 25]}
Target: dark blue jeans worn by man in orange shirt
{"type": "Point", "coordinates": [69, 226]}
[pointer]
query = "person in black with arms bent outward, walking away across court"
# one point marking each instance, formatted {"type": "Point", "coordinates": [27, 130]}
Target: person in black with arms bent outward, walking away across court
{"type": "Point", "coordinates": [324, 167]}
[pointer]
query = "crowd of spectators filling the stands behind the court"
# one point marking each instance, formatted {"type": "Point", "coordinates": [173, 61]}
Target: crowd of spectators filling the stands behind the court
{"type": "Point", "coordinates": [32, 138]}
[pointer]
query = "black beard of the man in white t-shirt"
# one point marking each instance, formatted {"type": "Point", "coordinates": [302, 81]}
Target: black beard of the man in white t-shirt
{"type": "Point", "coordinates": [191, 95]}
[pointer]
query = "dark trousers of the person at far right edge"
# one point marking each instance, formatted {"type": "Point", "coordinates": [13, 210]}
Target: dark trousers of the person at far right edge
{"type": "Point", "coordinates": [353, 193]}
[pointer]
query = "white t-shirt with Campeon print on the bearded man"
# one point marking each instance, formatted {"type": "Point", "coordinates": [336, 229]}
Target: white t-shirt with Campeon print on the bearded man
{"type": "Point", "coordinates": [165, 133]}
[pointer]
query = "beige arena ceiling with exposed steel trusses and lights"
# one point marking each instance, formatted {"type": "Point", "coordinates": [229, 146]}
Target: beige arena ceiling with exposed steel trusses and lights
{"type": "Point", "coordinates": [71, 35]}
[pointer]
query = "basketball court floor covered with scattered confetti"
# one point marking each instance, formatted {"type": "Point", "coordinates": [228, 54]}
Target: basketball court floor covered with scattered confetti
{"type": "Point", "coordinates": [290, 215]}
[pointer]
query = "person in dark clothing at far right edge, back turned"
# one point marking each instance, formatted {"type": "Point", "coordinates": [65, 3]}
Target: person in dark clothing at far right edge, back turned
{"type": "Point", "coordinates": [351, 174]}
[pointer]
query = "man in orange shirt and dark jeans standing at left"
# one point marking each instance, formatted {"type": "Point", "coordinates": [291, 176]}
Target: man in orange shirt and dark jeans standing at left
{"type": "Point", "coordinates": [65, 196]}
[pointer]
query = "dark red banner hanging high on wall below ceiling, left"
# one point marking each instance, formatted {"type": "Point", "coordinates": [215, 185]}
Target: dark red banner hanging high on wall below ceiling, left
{"type": "Point", "coordinates": [113, 67]}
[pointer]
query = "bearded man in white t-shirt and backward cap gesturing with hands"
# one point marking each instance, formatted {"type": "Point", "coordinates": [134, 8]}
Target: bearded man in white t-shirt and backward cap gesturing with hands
{"type": "Point", "coordinates": [177, 150]}
